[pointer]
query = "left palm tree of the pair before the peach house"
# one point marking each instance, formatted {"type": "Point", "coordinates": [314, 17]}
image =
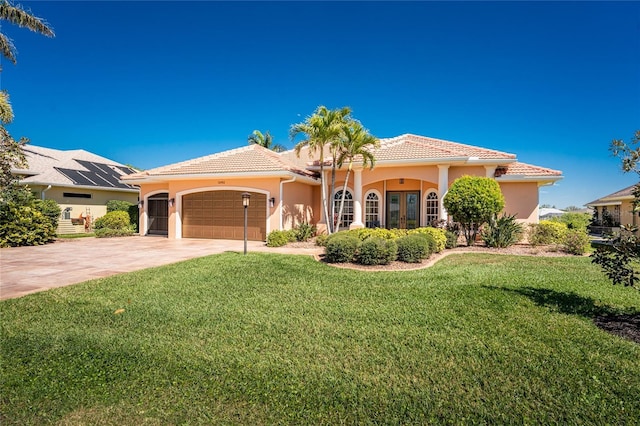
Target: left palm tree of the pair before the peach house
{"type": "Point", "coordinates": [322, 128]}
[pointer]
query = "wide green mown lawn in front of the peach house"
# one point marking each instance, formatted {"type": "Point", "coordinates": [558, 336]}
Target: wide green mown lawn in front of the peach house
{"type": "Point", "coordinates": [264, 339]}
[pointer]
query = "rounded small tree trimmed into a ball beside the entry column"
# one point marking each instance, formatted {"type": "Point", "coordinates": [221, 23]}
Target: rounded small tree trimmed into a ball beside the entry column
{"type": "Point", "coordinates": [473, 201]}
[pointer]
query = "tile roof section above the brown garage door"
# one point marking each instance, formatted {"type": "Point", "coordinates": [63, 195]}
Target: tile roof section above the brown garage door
{"type": "Point", "coordinates": [248, 159]}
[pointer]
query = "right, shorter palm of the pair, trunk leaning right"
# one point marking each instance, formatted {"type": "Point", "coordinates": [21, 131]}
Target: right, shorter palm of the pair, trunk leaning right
{"type": "Point", "coordinates": [357, 143]}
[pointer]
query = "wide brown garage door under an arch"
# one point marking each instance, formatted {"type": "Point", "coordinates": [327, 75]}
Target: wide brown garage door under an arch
{"type": "Point", "coordinates": [220, 215]}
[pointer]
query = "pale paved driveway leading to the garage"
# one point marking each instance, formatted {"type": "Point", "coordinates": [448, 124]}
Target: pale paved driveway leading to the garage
{"type": "Point", "coordinates": [25, 270]}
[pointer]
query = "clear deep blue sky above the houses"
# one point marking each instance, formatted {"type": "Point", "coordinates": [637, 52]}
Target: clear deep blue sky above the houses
{"type": "Point", "coordinates": [152, 83]}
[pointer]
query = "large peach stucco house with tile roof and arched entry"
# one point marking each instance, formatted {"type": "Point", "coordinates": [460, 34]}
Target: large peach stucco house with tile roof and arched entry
{"type": "Point", "coordinates": [202, 197]}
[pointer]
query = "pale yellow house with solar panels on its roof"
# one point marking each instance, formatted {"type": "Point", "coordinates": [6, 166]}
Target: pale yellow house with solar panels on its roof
{"type": "Point", "coordinates": [79, 181]}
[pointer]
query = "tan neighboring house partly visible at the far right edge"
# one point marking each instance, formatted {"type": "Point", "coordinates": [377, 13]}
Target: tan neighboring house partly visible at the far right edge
{"type": "Point", "coordinates": [613, 210]}
